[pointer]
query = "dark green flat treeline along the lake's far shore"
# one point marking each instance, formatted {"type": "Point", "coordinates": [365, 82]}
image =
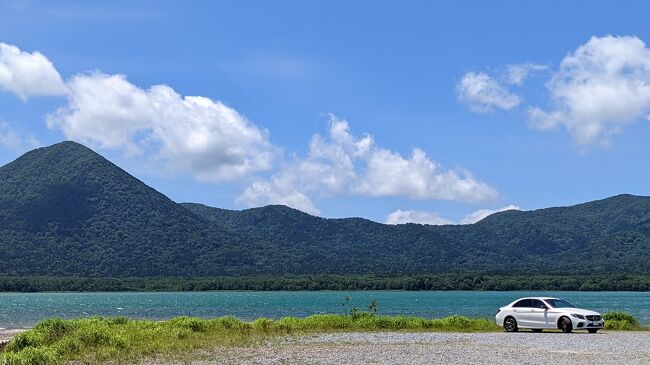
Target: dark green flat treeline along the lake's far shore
{"type": "Point", "coordinates": [451, 281]}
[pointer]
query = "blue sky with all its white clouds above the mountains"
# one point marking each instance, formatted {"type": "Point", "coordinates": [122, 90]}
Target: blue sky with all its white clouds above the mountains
{"type": "Point", "coordinates": [413, 111]}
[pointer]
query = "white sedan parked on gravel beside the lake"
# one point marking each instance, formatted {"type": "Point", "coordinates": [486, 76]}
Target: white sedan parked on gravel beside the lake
{"type": "Point", "coordinates": [539, 313]}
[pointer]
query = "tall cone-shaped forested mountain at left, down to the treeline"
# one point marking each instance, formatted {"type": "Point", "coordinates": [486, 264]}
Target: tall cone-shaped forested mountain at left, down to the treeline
{"type": "Point", "coordinates": [65, 210]}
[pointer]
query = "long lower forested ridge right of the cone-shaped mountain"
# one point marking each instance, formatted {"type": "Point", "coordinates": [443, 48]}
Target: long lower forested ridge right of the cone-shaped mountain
{"type": "Point", "coordinates": [609, 235]}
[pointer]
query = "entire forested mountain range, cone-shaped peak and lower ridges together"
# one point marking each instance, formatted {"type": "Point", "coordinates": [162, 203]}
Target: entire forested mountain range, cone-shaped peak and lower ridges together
{"type": "Point", "coordinates": [67, 211]}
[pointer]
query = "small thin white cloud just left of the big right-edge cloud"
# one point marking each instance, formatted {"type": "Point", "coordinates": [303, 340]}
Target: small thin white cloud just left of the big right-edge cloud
{"type": "Point", "coordinates": [483, 93]}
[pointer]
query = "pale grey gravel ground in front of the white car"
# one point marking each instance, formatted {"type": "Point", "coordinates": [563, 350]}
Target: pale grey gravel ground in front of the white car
{"type": "Point", "coordinates": [444, 348]}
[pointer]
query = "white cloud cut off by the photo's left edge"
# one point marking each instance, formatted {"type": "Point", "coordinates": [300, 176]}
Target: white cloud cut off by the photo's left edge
{"type": "Point", "coordinates": [28, 74]}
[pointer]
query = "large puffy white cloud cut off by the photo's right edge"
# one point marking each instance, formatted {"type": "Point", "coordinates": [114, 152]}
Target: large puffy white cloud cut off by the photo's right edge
{"type": "Point", "coordinates": [601, 87]}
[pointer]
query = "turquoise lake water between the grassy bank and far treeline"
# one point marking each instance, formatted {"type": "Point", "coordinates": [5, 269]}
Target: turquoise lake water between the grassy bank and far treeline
{"type": "Point", "coordinates": [18, 310]}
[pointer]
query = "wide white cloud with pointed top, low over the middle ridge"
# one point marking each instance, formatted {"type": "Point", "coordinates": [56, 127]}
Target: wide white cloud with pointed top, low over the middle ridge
{"type": "Point", "coordinates": [344, 164]}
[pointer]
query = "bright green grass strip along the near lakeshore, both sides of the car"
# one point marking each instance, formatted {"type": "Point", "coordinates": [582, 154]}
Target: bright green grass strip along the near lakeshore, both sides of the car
{"type": "Point", "coordinates": [97, 339]}
